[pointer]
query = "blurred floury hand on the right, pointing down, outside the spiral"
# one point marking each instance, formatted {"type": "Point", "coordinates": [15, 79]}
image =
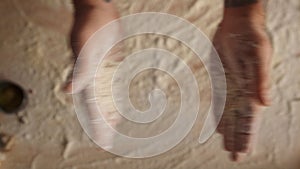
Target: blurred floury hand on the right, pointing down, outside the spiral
{"type": "Point", "coordinates": [245, 51]}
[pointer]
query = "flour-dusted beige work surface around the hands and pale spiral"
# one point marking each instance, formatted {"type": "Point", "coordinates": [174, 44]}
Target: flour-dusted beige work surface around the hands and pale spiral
{"type": "Point", "coordinates": [34, 52]}
